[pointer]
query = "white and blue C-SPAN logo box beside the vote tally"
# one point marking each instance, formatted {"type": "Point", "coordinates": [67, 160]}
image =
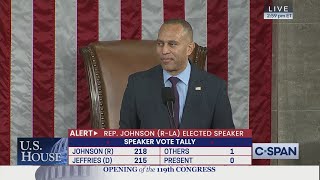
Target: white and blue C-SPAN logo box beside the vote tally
{"type": "Point", "coordinates": [275, 151]}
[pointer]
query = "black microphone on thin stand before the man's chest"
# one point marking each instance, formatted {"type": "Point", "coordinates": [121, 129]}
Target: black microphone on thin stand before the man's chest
{"type": "Point", "coordinates": [168, 100]}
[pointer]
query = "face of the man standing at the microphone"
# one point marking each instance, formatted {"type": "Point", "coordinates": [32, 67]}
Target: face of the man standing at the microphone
{"type": "Point", "coordinates": [173, 47]}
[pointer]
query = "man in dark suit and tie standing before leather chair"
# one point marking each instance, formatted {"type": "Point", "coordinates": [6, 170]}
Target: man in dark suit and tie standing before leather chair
{"type": "Point", "coordinates": [200, 98]}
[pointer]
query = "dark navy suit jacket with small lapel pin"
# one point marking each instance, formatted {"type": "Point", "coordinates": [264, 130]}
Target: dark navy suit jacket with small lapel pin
{"type": "Point", "coordinates": [143, 108]}
